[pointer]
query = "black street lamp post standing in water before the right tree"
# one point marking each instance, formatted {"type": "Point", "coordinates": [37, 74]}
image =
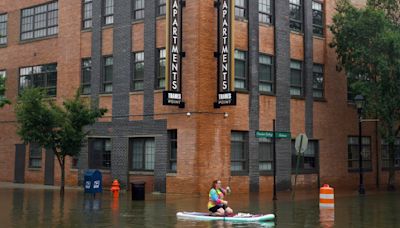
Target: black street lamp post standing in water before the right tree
{"type": "Point", "coordinates": [359, 100]}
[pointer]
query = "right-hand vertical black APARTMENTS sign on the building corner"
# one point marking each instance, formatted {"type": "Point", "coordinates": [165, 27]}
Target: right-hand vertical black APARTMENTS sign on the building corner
{"type": "Point", "coordinates": [225, 54]}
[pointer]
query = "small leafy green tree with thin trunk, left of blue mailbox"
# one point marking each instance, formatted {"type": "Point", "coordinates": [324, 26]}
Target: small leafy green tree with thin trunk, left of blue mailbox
{"type": "Point", "coordinates": [60, 128]}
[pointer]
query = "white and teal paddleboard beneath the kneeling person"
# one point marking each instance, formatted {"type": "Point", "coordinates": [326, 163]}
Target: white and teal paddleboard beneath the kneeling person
{"type": "Point", "coordinates": [240, 217]}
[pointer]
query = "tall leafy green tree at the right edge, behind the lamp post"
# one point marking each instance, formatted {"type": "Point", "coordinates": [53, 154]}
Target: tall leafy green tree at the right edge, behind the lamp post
{"type": "Point", "coordinates": [367, 43]}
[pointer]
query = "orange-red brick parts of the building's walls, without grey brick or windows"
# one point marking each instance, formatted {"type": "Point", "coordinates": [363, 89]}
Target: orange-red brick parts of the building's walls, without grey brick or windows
{"type": "Point", "coordinates": [203, 137]}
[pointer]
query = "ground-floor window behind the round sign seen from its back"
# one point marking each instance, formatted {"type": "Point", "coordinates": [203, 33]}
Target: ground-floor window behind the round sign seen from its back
{"type": "Point", "coordinates": [307, 160]}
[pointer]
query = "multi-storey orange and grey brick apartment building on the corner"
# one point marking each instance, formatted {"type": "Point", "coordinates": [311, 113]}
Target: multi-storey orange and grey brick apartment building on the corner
{"type": "Point", "coordinates": [115, 50]}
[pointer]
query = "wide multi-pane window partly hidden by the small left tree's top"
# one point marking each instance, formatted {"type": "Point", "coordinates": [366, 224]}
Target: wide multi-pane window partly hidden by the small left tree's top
{"type": "Point", "coordinates": [43, 76]}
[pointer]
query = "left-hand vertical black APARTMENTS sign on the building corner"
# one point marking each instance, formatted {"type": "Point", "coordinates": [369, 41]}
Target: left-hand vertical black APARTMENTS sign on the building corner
{"type": "Point", "coordinates": [174, 54]}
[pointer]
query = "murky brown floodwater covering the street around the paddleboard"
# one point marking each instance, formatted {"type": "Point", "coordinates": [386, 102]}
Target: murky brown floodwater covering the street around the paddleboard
{"type": "Point", "coordinates": [22, 206]}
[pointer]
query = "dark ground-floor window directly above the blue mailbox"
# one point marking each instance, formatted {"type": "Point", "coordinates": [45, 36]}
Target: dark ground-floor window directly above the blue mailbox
{"type": "Point", "coordinates": [100, 153]}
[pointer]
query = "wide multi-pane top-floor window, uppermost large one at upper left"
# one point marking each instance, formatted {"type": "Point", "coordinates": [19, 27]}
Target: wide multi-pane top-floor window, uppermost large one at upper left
{"type": "Point", "coordinates": [39, 21]}
